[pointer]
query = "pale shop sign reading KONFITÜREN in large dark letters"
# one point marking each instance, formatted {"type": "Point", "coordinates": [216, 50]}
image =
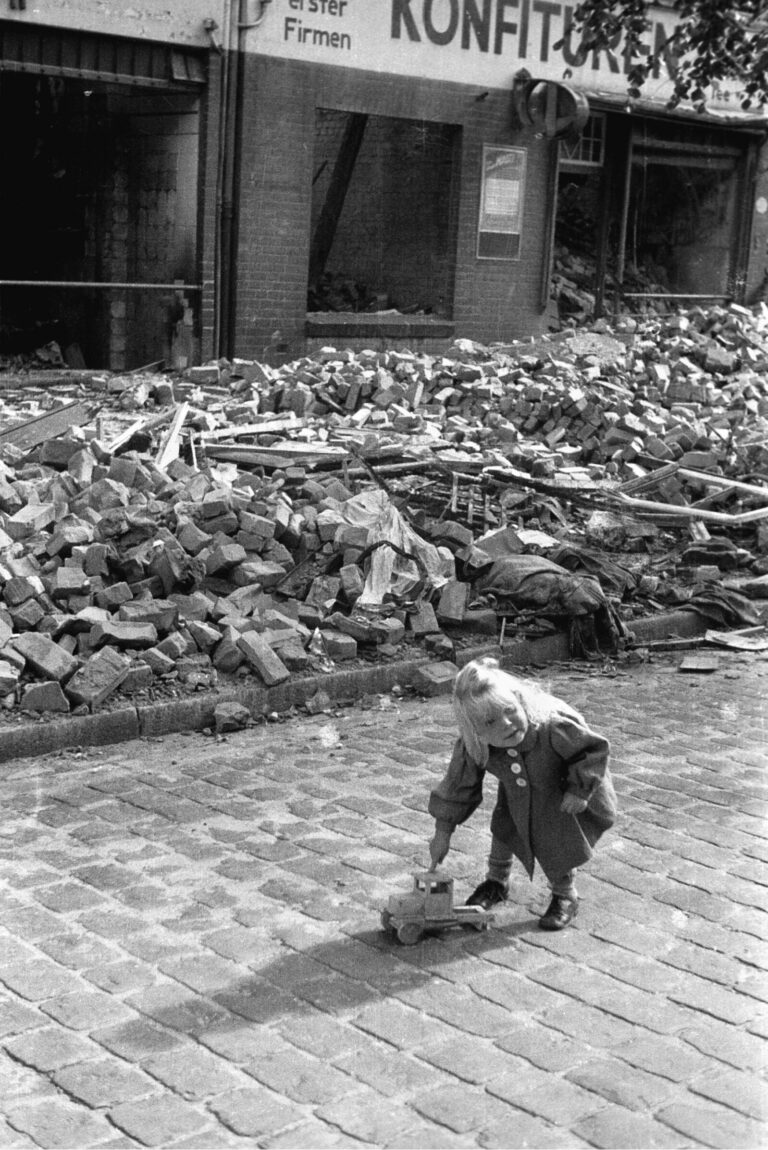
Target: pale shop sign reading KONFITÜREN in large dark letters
{"type": "Point", "coordinates": [474, 42]}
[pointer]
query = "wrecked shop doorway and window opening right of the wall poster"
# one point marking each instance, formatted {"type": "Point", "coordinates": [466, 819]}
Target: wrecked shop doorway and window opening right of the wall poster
{"type": "Point", "coordinates": [658, 223]}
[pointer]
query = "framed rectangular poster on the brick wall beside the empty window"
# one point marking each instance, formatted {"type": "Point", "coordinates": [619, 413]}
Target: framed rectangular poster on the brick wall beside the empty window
{"type": "Point", "coordinates": [502, 203]}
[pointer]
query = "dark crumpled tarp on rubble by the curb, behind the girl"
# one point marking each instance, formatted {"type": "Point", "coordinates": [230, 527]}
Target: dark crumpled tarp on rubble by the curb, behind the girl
{"type": "Point", "coordinates": [533, 584]}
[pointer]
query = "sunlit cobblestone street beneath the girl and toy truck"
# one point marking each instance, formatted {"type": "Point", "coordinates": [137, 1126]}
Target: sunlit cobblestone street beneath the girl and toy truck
{"type": "Point", "coordinates": [191, 953]}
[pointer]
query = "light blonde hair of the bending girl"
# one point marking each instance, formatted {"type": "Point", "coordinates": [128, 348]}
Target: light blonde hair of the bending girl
{"type": "Point", "coordinates": [482, 691]}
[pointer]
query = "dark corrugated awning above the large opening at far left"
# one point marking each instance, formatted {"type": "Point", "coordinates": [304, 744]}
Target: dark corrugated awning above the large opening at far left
{"type": "Point", "coordinates": [86, 56]}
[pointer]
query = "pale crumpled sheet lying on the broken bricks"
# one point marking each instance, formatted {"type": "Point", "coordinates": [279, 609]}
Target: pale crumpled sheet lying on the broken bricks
{"type": "Point", "coordinates": [409, 566]}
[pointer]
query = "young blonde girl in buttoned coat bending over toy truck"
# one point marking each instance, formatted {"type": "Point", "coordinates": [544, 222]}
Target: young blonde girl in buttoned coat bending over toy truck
{"type": "Point", "coordinates": [556, 796]}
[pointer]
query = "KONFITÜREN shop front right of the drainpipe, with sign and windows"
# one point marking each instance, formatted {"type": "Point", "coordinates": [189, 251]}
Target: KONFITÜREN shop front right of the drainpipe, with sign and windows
{"type": "Point", "coordinates": [408, 175]}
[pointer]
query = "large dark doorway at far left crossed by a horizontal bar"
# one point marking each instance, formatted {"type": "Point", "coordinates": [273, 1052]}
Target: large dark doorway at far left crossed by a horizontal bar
{"type": "Point", "coordinates": [101, 188]}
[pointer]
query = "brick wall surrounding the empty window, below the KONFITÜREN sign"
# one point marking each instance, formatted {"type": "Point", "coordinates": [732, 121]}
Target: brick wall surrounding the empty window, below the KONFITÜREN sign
{"type": "Point", "coordinates": [493, 300]}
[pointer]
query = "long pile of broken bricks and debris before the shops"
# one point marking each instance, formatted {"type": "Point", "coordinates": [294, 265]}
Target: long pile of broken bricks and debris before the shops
{"type": "Point", "coordinates": [134, 562]}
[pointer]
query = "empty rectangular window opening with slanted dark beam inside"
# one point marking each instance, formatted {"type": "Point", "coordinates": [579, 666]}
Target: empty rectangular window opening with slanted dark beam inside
{"type": "Point", "coordinates": [383, 216]}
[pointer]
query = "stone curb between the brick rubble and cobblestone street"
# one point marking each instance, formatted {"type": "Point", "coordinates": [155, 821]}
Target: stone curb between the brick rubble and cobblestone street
{"type": "Point", "coordinates": [196, 714]}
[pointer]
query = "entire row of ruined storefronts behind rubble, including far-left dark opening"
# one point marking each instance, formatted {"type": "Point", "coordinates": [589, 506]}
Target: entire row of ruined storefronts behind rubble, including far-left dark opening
{"type": "Point", "coordinates": [258, 179]}
